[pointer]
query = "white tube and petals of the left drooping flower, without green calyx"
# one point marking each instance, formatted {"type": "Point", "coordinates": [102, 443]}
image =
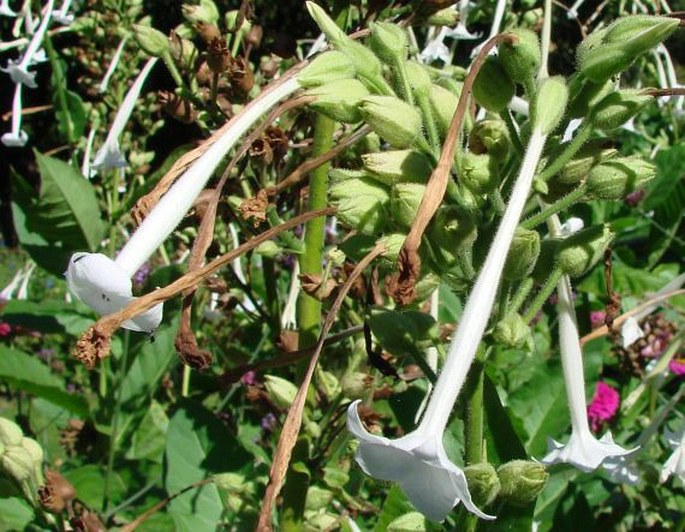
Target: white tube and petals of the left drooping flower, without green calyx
{"type": "Point", "coordinates": [105, 284]}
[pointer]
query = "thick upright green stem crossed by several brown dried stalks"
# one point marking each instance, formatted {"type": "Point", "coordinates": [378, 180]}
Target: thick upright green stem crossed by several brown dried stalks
{"type": "Point", "coordinates": [308, 308]}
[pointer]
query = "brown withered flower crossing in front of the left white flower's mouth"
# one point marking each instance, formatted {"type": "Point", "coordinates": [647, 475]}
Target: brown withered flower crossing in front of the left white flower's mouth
{"type": "Point", "coordinates": [95, 343]}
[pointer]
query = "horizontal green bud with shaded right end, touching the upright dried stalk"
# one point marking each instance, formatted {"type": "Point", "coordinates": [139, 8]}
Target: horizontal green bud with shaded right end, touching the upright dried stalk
{"type": "Point", "coordinates": [398, 166]}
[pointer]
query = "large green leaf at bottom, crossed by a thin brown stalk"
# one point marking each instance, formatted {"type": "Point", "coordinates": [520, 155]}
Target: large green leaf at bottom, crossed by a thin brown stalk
{"type": "Point", "coordinates": [198, 446]}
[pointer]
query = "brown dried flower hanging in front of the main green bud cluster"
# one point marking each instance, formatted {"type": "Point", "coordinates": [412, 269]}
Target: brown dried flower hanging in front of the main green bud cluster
{"type": "Point", "coordinates": [409, 261]}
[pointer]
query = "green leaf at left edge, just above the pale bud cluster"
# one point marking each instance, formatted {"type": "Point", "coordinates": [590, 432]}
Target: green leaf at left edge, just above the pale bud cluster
{"type": "Point", "coordinates": [29, 374]}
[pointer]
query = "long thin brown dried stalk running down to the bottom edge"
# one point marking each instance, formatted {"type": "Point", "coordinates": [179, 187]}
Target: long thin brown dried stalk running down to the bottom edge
{"type": "Point", "coordinates": [293, 421]}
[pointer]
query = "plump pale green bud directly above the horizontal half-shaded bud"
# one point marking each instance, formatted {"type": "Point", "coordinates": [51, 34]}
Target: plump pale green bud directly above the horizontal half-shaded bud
{"type": "Point", "coordinates": [393, 119]}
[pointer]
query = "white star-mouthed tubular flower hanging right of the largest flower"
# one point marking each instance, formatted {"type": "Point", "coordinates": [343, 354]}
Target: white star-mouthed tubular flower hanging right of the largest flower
{"type": "Point", "coordinates": [583, 450]}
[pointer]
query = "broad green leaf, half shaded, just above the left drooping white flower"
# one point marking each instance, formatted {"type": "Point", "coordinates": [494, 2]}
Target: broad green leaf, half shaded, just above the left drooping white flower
{"type": "Point", "coordinates": [63, 219]}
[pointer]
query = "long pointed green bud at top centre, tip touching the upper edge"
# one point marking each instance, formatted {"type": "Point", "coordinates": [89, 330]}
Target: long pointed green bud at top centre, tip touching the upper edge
{"type": "Point", "coordinates": [364, 60]}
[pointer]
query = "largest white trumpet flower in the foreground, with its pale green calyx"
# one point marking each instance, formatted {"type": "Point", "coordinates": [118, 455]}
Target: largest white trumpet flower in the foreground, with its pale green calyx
{"type": "Point", "coordinates": [418, 461]}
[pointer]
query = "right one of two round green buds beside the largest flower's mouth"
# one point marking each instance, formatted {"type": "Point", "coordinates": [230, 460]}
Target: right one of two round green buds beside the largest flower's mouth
{"type": "Point", "coordinates": [522, 481]}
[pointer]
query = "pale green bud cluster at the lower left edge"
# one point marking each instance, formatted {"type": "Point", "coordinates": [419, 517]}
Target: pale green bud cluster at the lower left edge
{"type": "Point", "coordinates": [21, 459]}
